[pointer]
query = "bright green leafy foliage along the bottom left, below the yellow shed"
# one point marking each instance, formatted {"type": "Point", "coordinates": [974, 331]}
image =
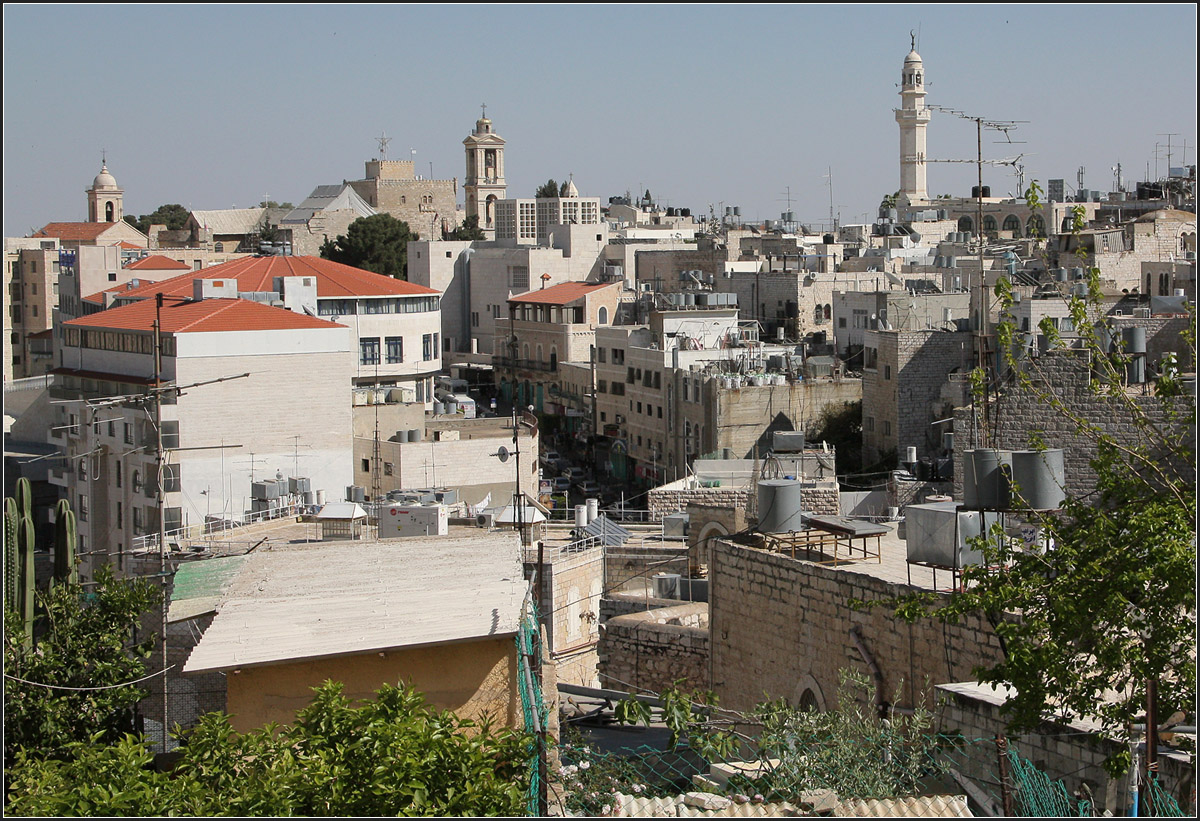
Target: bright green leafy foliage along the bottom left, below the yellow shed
{"type": "Point", "coordinates": [393, 756]}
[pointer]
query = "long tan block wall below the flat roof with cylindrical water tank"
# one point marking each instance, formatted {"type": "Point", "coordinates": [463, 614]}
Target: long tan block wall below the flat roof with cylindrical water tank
{"type": "Point", "coordinates": [782, 626]}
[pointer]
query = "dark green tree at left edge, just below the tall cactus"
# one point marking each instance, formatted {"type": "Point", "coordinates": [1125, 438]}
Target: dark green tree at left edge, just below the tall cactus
{"type": "Point", "coordinates": [80, 681]}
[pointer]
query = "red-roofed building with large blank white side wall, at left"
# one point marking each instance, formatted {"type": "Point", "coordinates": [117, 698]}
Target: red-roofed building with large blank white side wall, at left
{"type": "Point", "coordinates": [221, 438]}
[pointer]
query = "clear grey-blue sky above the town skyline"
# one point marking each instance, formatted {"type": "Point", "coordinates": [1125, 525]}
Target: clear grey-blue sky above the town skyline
{"type": "Point", "coordinates": [755, 106]}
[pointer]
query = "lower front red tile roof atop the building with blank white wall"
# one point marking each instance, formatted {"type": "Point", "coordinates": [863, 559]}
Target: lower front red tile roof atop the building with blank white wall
{"type": "Point", "coordinates": [181, 316]}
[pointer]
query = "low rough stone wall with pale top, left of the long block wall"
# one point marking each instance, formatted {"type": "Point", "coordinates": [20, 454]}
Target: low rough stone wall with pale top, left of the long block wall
{"type": "Point", "coordinates": [653, 650]}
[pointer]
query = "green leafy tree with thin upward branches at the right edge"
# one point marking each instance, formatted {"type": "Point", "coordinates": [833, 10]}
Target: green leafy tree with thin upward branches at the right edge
{"type": "Point", "coordinates": [1105, 607]}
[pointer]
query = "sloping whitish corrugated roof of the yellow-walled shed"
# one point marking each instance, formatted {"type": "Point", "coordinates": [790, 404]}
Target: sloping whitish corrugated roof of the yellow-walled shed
{"type": "Point", "coordinates": [308, 602]}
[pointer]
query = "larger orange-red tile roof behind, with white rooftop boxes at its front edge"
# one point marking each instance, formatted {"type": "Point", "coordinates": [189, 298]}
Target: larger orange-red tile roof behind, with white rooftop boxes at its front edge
{"type": "Point", "coordinates": [334, 280]}
